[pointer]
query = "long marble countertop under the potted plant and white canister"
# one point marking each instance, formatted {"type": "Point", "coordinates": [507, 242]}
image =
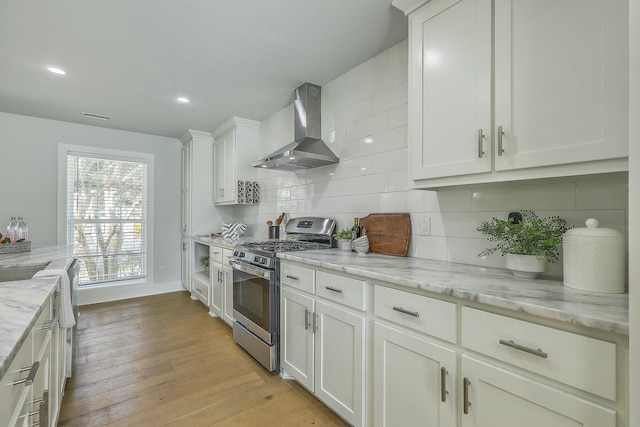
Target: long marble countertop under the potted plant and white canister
{"type": "Point", "coordinates": [495, 287]}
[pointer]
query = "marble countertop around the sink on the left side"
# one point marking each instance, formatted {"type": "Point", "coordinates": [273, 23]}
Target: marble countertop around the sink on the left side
{"type": "Point", "coordinates": [21, 301]}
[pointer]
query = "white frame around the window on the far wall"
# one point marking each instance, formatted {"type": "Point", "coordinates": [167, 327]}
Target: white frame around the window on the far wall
{"type": "Point", "coordinates": [132, 156]}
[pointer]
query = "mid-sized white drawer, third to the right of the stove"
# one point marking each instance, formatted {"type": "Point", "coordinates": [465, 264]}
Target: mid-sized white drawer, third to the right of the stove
{"type": "Point", "coordinates": [424, 314]}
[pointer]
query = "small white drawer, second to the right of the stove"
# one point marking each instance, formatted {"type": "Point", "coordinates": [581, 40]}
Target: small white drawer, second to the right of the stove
{"type": "Point", "coordinates": [341, 289]}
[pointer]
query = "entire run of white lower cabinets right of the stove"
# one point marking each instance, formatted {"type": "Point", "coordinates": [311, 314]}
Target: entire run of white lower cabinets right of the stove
{"type": "Point", "coordinates": [443, 363]}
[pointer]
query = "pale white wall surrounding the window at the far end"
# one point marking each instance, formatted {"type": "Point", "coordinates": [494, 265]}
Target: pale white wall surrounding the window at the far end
{"type": "Point", "coordinates": [29, 176]}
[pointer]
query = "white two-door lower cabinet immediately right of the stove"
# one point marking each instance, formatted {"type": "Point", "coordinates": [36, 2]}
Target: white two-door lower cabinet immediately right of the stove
{"type": "Point", "coordinates": [322, 345]}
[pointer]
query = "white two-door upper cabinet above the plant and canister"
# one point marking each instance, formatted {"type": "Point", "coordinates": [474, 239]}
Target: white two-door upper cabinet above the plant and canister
{"type": "Point", "coordinates": [524, 89]}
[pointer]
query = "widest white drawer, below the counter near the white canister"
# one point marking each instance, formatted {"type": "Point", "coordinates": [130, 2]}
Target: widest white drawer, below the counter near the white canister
{"type": "Point", "coordinates": [579, 361]}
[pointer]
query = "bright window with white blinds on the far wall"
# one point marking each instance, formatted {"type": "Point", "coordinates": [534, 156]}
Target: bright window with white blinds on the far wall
{"type": "Point", "coordinates": [106, 215]}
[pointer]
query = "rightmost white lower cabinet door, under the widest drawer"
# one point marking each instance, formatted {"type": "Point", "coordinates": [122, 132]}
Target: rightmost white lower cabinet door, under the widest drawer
{"type": "Point", "coordinates": [502, 398]}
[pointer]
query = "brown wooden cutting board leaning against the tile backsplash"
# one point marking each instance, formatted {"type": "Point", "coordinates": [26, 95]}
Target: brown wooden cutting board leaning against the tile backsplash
{"type": "Point", "coordinates": [389, 234]}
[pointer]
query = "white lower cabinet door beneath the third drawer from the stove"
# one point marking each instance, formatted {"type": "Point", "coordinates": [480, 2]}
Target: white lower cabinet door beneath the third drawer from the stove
{"type": "Point", "coordinates": [410, 386]}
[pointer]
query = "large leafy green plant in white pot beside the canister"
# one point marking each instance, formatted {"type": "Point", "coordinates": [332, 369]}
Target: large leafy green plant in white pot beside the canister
{"type": "Point", "coordinates": [527, 241]}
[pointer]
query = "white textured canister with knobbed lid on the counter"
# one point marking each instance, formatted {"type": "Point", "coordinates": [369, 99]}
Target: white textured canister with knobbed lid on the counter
{"type": "Point", "coordinates": [594, 259]}
